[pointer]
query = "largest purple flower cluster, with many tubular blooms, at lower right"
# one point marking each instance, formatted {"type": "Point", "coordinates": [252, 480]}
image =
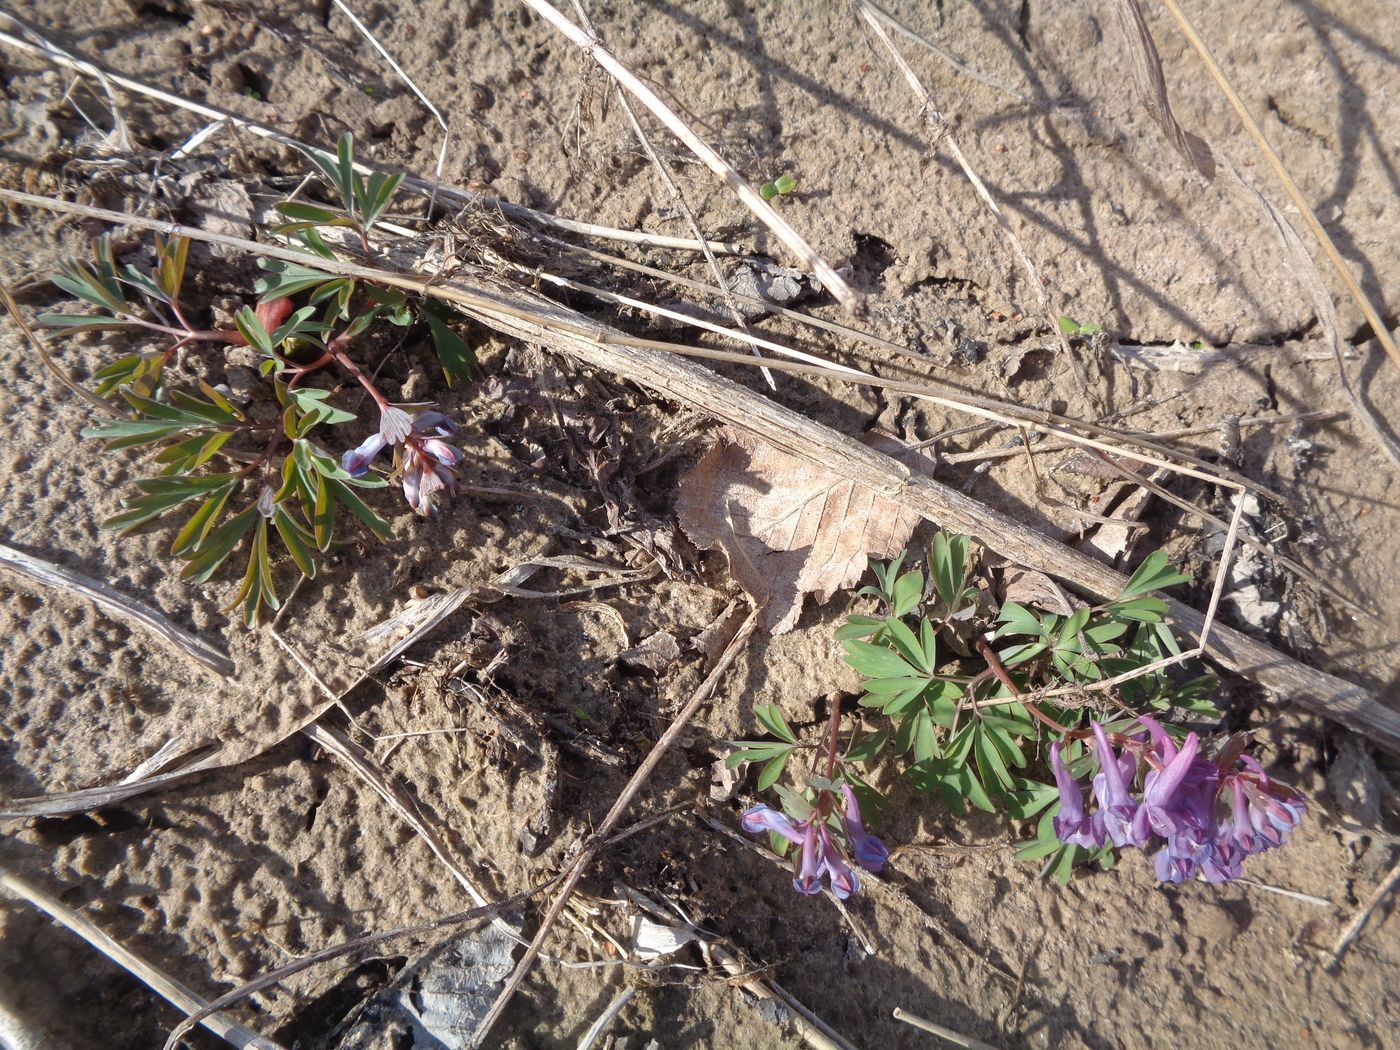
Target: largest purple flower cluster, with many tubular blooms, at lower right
{"type": "Point", "coordinates": [1209, 815]}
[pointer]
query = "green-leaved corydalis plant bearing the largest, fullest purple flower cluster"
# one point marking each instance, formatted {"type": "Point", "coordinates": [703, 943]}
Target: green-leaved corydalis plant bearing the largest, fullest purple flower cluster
{"type": "Point", "coordinates": [958, 684]}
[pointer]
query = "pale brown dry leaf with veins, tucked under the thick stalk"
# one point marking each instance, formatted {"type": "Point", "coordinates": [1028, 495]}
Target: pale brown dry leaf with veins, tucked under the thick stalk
{"type": "Point", "coordinates": [787, 527]}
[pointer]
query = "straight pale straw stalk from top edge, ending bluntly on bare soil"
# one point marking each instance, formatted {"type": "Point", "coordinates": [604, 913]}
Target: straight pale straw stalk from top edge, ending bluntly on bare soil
{"type": "Point", "coordinates": [741, 187]}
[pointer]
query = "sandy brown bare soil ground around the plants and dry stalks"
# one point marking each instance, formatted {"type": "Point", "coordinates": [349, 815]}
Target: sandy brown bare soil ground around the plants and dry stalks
{"type": "Point", "coordinates": [241, 870]}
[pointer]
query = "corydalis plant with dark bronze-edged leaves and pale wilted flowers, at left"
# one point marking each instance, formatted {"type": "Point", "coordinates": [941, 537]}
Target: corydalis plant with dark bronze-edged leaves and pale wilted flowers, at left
{"type": "Point", "coordinates": [255, 475]}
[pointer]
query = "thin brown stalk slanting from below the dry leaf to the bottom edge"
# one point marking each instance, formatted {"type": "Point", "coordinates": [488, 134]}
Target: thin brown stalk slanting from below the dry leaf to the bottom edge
{"type": "Point", "coordinates": [612, 820]}
